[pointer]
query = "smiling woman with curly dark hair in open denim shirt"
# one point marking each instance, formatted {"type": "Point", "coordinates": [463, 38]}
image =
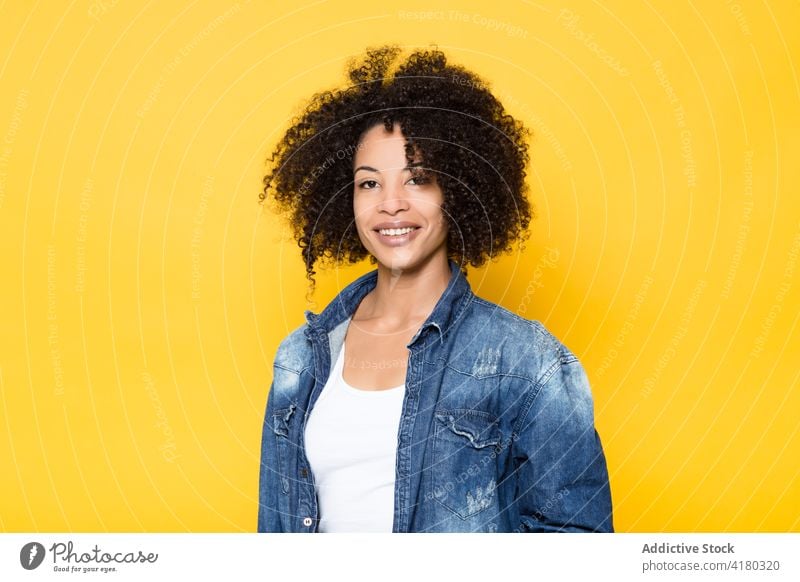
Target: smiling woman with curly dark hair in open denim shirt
{"type": "Point", "coordinates": [409, 404]}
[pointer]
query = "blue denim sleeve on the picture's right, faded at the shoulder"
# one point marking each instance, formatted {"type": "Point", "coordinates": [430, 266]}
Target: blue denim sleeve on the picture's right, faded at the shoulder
{"type": "Point", "coordinates": [562, 479]}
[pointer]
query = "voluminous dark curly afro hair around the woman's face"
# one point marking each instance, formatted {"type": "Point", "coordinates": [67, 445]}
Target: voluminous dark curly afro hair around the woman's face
{"type": "Point", "coordinates": [450, 120]}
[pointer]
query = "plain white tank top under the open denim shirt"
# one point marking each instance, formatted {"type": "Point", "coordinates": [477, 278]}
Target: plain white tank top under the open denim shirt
{"type": "Point", "coordinates": [351, 444]}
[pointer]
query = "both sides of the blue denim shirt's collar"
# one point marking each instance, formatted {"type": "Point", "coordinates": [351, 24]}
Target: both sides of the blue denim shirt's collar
{"type": "Point", "coordinates": [446, 312]}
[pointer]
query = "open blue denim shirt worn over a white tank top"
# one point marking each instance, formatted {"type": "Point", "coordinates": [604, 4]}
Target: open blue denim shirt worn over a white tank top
{"type": "Point", "coordinates": [497, 428]}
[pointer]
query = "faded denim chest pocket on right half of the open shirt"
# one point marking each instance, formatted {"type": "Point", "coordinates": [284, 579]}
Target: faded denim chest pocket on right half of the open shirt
{"type": "Point", "coordinates": [466, 444]}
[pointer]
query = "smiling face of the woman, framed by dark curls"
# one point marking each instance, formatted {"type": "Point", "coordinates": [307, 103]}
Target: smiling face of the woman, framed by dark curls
{"type": "Point", "coordinates": [398, 216]}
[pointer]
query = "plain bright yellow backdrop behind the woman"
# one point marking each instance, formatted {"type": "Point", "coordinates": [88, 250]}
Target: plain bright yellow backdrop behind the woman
{"type": "Point", "coordinates": [145, 290]}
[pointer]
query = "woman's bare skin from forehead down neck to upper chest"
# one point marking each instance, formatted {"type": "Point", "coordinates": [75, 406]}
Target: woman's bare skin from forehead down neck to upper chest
{"type": "Point", "coordinates": [413, 270]}
